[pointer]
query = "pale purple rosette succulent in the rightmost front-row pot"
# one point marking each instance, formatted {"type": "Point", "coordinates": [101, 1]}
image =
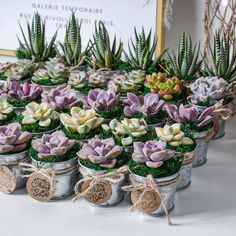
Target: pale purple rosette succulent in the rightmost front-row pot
{"type": "Point", "coordinates": [152, 153]}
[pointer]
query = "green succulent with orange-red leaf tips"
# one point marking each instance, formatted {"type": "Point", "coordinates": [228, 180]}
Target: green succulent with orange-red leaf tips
{"type": "Point", "coordinates": [168, 88]}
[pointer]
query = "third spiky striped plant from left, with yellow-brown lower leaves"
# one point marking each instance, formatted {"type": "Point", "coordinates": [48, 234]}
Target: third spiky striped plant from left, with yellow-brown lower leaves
{"type": "Point", "coordinates": [103, 54]}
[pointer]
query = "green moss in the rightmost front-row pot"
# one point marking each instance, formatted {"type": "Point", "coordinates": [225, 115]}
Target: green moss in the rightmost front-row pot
{"type": "Point", "coordinates": [169, 167]}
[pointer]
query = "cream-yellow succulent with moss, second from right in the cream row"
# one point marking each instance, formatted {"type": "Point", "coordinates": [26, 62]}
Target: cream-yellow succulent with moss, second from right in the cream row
{"type": "Point", "coordinates": [127, 131]}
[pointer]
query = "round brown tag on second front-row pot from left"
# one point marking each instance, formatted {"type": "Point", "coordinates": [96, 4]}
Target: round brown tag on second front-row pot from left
{"type": "Point", "coordinates": [40, 187]}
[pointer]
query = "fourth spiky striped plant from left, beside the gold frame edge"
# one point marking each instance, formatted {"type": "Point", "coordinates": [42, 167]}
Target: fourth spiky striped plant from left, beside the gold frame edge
{"type": "Point", "coordinates": [140, 57]}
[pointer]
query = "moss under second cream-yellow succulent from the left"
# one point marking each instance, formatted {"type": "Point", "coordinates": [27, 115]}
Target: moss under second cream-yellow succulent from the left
{"type": "Point", "coordinates": [35, 128]}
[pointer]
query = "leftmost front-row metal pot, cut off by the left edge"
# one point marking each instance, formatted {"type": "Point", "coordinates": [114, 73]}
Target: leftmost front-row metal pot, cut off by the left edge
{"type": "Point", "coordinates": [16, 157]}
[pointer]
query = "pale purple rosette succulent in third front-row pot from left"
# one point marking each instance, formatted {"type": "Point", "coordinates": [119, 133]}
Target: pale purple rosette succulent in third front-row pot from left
{"type": "Point", "coordinates": [101, 151]}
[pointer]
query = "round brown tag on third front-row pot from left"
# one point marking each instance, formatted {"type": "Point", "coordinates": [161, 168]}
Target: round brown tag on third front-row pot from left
{"type": "Point", "coordinates": [99, 194]}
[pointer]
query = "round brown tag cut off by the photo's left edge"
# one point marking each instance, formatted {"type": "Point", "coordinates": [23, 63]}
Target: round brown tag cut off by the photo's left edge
{"type": "Point", "coordinates": [7, 180]}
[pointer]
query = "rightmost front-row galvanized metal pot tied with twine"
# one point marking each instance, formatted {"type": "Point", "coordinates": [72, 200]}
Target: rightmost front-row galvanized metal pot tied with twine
{"type": "Point", "coordinates": [167, 188]}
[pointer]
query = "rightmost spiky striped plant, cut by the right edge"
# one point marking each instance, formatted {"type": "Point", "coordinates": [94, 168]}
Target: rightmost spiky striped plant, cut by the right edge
{"type": "Point", "coordinates": [222, 57]}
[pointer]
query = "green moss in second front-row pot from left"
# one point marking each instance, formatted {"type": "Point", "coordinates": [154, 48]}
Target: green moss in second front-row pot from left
{"type": "Point", "coordinates": [68, 156]}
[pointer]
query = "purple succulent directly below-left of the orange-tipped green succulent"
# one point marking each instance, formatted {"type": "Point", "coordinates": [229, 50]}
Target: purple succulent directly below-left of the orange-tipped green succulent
{"type": "Point", "coordinates": [149, 105]}
